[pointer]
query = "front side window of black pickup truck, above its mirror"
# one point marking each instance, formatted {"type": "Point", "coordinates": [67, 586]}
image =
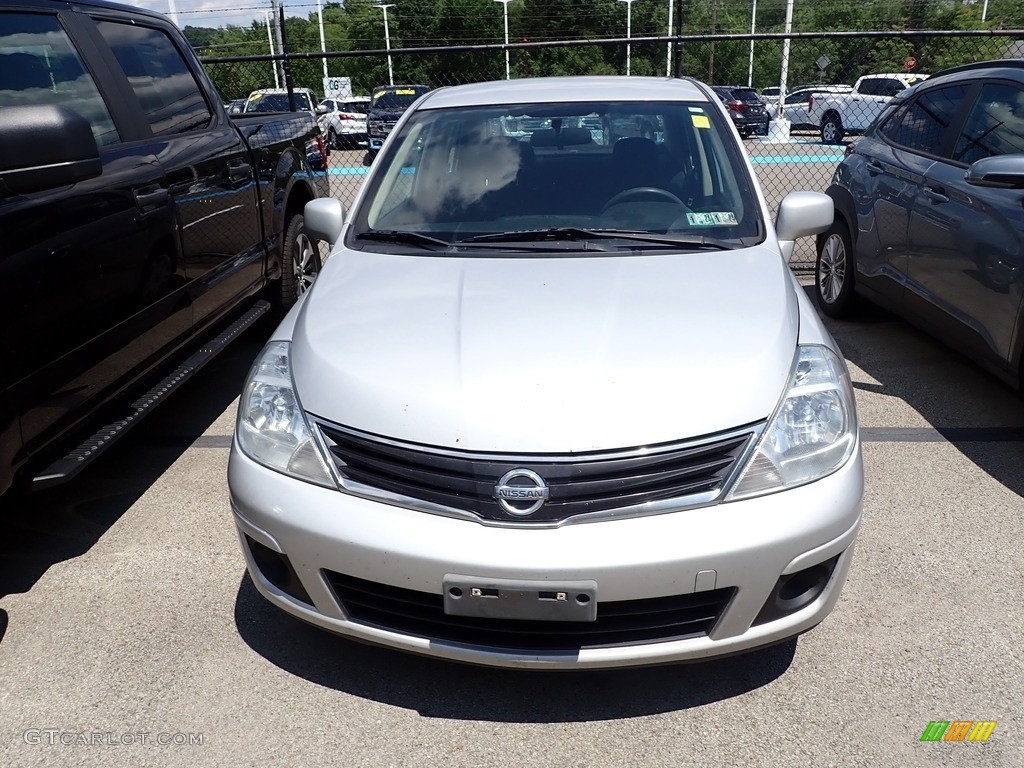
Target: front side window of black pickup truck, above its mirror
{"type": "Point", "coordinates": [39, 66]}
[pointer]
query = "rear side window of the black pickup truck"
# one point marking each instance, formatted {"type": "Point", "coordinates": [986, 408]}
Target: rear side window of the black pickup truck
{"type": "Point", "coordinates": [170, 97]}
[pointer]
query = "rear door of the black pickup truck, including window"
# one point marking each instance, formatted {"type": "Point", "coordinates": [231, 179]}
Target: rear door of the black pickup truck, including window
{"type": "Point", "coordinates": [211, 182]}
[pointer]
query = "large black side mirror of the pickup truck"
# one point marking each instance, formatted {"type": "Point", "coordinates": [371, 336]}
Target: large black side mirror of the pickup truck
{"type": "Point", "coordinates": [45, 147]}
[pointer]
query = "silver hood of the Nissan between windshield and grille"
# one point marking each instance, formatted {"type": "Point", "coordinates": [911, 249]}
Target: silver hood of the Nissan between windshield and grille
{"type": "Point", "coordinates": [540, 354]}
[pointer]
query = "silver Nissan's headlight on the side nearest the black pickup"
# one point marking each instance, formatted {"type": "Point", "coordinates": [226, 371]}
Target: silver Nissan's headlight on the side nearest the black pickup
{"type": "Point", "coordinates": [272, 426]}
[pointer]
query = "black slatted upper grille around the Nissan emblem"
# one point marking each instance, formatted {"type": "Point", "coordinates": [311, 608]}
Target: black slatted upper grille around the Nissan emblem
{"type": "Point", "coordinates": [641, 481]}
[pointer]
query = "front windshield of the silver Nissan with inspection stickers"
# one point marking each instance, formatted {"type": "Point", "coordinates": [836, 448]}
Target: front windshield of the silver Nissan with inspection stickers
{"type": "Point", "coordinates": [606, 176]}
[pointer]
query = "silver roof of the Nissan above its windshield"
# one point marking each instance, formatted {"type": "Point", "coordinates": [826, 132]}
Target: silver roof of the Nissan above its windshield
{"type": "Point", "coordinates": [563, 90]}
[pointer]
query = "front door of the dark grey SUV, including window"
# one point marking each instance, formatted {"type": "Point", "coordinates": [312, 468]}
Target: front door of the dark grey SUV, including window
{"type": "Point", "coordinates": [968, 258]}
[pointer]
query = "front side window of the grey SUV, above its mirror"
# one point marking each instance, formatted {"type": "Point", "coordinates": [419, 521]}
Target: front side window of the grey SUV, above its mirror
{"type": "Point", "coordinates": [996, 125]}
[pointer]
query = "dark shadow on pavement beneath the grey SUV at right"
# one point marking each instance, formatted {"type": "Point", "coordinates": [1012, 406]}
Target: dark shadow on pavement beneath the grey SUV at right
{"type": "Point", "coordinates": [964, 405]}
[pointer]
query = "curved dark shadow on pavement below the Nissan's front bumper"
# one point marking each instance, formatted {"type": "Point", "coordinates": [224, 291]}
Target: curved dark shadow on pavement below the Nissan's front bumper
{"type": "Point", "coordinates": [443, 690]}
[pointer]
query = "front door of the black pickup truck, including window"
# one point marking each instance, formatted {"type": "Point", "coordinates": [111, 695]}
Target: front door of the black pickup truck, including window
{"type": "Point", "coordinates": [92, 290]}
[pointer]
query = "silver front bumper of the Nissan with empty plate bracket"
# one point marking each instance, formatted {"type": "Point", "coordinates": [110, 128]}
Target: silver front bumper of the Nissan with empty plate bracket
{"type": "Point", "coordinates": [744, 550]}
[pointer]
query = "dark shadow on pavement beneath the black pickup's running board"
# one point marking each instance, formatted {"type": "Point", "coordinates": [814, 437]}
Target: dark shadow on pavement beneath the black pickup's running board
{"type": "Point", "coordinates": [42, 529]}
